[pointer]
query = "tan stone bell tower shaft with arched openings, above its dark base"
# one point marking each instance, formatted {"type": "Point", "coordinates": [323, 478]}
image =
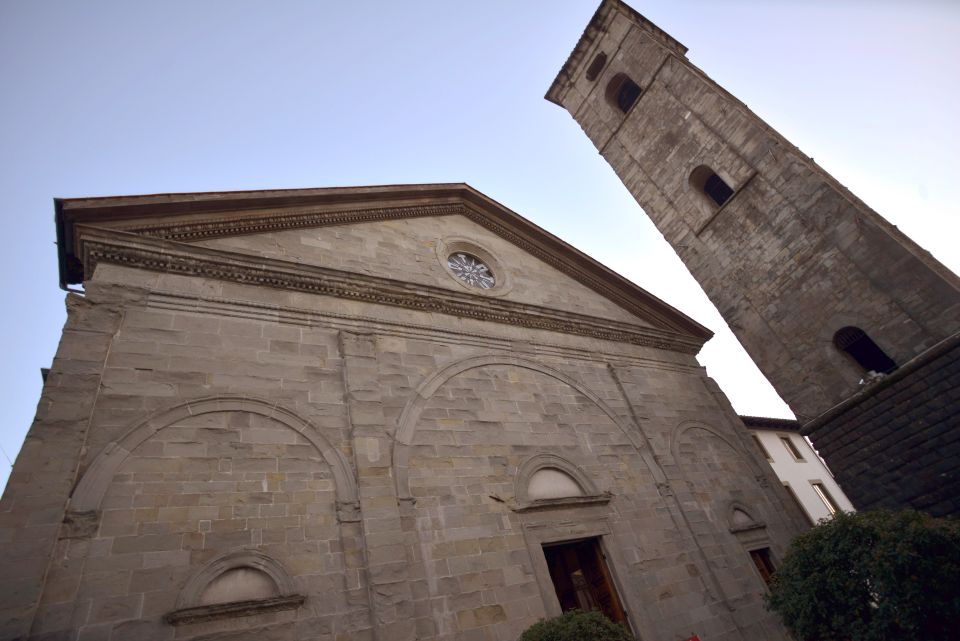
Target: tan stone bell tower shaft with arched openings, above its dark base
{"type": "Point", "coordinates": [821, 291]}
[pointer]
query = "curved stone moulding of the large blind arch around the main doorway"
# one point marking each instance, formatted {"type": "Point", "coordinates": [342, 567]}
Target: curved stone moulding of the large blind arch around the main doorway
{"type": "Point", "coordinates": [407, 424]}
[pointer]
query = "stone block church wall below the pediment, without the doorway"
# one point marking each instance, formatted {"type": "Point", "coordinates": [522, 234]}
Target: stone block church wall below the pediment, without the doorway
{"type": "Point", "coordinates": [367, 458]}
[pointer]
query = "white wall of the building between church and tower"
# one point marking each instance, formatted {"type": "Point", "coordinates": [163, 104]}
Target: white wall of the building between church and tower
{"type": "Point", "coordinates": [798, 476]}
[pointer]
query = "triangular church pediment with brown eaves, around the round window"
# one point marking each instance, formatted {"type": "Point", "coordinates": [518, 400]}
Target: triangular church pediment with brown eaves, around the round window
{"type": "Point", "coordinates": [333, 234]}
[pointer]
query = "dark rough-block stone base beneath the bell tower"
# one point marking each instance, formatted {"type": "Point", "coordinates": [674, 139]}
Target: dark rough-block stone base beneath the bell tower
{"type": "Point", "coordinates": [897, 444]}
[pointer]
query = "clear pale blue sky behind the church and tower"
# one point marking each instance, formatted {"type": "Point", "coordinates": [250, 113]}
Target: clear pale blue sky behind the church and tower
{"type": "Point", "coordinates": [126, 97]}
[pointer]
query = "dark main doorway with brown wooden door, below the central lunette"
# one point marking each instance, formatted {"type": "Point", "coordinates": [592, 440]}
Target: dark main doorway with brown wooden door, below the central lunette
{"type": "Point", "coordinates": [581, 578]}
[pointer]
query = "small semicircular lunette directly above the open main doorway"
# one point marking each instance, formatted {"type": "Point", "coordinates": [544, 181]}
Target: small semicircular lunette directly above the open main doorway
{"type": "Point", "coordinates": [547, 480]}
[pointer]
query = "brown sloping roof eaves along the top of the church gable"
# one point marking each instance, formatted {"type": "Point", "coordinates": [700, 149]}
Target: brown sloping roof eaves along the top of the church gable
{"type": "Point", "coordinates": [185, 216]}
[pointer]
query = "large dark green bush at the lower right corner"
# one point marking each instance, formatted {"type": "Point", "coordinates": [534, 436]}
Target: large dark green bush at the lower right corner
{"type": "Point", "coordinates": [872, 576]}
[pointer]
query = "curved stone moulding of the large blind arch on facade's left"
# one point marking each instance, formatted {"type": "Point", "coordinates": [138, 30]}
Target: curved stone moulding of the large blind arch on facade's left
{"type": "Point", "coordinates": [90, 491]}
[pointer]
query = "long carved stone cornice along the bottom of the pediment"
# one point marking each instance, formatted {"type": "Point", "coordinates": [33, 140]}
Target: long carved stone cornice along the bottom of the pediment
{"type": "Point", "coordinates": [132, 250]}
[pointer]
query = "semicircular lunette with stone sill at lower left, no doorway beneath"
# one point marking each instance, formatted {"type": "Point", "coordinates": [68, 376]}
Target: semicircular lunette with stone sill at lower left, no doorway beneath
{"type": "Point", "coordinates": [242, 583]}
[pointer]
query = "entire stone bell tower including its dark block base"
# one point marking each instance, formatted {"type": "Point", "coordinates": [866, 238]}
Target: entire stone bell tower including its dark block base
{"type": "Point", "coordinates": [856, 327]}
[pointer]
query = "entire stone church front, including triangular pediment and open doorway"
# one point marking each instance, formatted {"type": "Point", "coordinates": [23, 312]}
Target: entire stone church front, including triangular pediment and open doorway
{"type": "Point", "coordinates": [386, 413]}
